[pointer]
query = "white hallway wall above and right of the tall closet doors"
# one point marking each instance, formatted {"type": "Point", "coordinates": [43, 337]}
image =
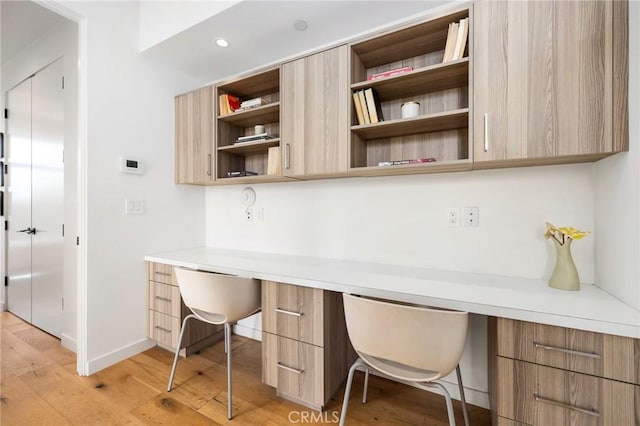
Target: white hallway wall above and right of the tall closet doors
{"type": "Point", "coordinates": [59, 41]}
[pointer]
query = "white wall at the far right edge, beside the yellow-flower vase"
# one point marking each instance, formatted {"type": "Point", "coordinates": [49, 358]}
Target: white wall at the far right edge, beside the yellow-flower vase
{"type": "Point", "coordinates": [618, 195]}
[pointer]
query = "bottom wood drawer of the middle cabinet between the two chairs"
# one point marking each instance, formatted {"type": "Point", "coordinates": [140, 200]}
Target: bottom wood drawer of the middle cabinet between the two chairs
{"type": "Point", "coordinates": [295, 368]}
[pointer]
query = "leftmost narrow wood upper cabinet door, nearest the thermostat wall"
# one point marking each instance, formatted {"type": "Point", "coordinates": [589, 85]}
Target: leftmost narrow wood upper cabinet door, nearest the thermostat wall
{"type": "Point", "coordinates": [194, 137]}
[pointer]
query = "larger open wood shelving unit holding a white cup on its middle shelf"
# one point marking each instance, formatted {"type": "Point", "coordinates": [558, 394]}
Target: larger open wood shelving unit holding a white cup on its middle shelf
{"type": "Point", "coordinates": [441, 130]}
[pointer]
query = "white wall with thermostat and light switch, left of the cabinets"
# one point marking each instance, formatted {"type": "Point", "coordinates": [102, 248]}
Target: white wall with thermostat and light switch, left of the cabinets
{"type": "Point", "coordinates": [129, 112]}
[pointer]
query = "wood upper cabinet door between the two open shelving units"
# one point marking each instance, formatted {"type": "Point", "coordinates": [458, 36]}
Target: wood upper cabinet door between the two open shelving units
{"type": "Point", "coordinates": [315, 114]}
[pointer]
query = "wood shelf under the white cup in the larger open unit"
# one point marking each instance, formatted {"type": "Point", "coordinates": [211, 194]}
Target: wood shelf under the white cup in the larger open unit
{"type": "Point", "coordinates": [449, 120]}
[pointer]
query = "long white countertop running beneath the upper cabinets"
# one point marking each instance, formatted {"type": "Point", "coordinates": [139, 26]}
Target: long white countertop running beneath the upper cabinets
{"type": "Point", "coordinates": [518, 298]}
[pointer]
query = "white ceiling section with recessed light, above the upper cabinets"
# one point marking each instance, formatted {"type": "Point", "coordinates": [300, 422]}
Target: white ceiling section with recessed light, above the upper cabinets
{"type": "Point", "coordinates": [261, 32]}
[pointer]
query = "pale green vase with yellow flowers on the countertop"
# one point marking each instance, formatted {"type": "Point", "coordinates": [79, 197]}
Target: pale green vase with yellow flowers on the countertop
{"type": "Point", "coordinates": [565, 275]}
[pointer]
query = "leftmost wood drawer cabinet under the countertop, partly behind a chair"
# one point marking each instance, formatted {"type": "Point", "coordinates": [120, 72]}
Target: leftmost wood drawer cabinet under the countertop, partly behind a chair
{"type": "Point", "coordinates": [166, 312]}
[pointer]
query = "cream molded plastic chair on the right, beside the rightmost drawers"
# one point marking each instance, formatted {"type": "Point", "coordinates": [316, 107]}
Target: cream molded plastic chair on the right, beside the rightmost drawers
{"type": "Point", "coordinates": [408, 344]}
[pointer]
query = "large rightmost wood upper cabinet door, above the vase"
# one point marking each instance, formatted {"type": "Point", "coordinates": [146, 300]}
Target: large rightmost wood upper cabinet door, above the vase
{"type": "Point", "coordinates": [544, 81]}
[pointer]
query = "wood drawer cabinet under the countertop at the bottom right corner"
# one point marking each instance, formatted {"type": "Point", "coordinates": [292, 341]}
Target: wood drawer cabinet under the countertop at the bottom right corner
{"type": "Point", "coordinates": [546, 375]}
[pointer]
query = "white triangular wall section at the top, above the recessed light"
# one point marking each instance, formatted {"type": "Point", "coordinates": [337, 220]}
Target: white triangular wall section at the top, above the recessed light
{"type": "Point", "coordinates": [162, 20]}
